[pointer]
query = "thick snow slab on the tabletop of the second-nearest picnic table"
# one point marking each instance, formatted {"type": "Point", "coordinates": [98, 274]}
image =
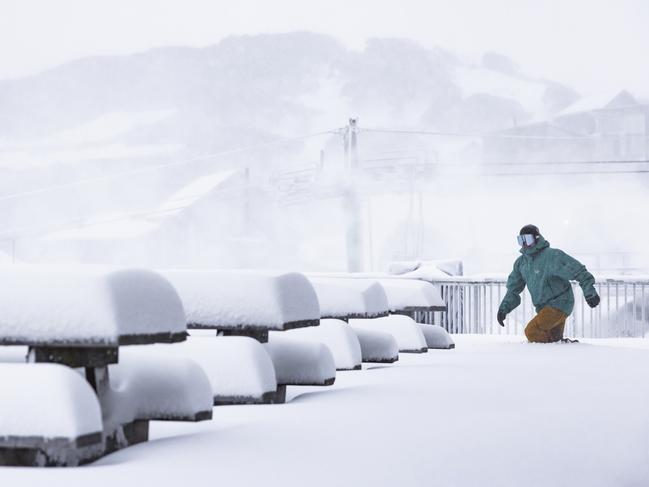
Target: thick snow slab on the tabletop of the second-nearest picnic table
{"type": "Point", "coordinates": [240, 299]}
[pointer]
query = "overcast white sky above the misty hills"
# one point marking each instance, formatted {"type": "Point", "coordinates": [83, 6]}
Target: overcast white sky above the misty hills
{"type": "Point", "coordinates": [598, 46]}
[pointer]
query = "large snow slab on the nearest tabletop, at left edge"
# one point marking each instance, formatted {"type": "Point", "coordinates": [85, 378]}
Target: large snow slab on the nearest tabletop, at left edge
{"type": "Point", "coordinates": [87, 306]}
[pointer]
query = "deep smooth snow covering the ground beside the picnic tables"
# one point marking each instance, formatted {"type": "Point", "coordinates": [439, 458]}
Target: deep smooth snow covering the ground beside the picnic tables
{"type": "Point", "coordinates": [496, 411]}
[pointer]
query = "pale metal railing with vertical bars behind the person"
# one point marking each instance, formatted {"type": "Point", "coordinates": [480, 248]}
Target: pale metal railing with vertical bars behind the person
{"type": "Point", "coordinates": [472, 305]}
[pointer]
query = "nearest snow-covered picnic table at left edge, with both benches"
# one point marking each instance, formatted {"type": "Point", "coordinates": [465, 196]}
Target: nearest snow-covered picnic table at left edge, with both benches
{"type": "Point", "coordinates": [59, 319]}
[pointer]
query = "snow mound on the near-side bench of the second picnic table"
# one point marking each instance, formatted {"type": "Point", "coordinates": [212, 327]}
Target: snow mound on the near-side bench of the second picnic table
{"type": "Point", "coordinates": [235, 366]}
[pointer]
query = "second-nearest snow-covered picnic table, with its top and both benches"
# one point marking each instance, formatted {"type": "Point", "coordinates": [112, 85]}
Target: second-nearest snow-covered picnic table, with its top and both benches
{"type": "Point", "coordinates": [251, 304]}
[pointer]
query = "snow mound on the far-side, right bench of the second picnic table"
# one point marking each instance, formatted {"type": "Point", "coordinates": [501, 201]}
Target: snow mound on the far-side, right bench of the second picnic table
{"type": "Point", "coordinates": [300, 363]}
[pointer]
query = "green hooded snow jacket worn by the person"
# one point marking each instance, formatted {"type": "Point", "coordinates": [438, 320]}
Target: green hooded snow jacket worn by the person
{"type": "Point", "coordinates": [547, 273]}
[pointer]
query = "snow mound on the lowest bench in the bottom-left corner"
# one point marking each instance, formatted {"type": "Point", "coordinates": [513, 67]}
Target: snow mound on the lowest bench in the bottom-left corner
{"type": "Point", "coordinates": [46, 400]}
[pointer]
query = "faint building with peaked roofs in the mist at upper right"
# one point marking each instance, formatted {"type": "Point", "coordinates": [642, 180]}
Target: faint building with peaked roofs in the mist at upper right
{"type": "Point", "coordinates": [588, 130]}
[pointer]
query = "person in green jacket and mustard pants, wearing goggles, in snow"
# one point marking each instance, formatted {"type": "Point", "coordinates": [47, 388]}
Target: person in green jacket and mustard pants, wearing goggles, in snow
{"type": "Point", "coordinates": [547, 272]}
